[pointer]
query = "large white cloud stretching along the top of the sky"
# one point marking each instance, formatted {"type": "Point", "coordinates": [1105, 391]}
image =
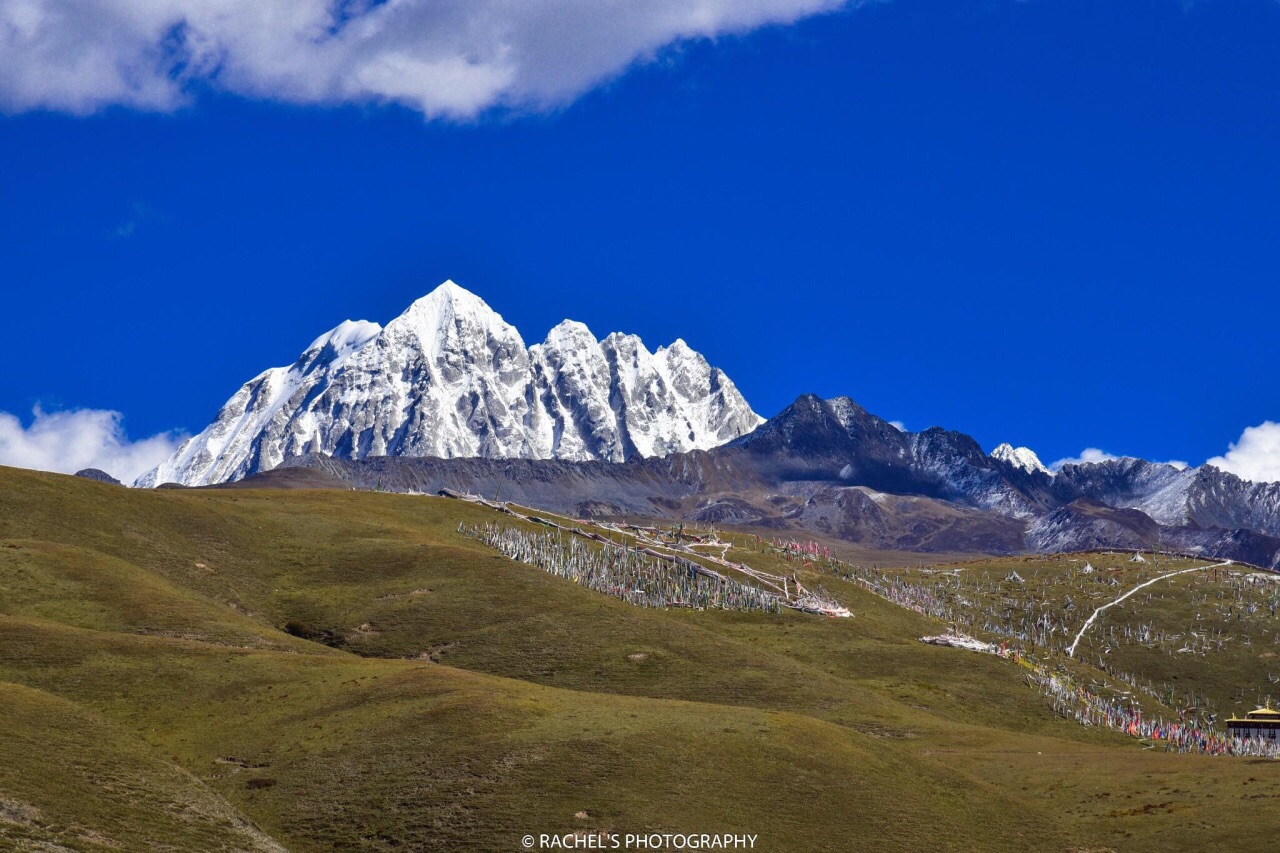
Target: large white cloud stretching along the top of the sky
{"type": "Point", "coordinates": [445, 58]}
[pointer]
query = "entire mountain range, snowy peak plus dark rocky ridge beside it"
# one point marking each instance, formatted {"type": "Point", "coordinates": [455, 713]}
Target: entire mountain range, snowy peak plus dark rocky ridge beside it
{"type": "Point", "coordinates": [449, 396]}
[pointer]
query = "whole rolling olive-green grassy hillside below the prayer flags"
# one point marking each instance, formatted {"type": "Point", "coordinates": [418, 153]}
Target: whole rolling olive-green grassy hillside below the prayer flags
{"type": "Point", "coordinates": [429, 695]}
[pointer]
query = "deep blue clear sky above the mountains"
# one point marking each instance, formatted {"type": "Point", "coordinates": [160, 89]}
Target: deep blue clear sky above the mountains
{"type": "Point", "coordinates": [1053, 223]}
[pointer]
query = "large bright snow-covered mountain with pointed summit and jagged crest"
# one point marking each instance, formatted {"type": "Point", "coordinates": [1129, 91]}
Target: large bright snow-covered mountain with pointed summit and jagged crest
{"type": "Point", "coordinates": [450, 378]}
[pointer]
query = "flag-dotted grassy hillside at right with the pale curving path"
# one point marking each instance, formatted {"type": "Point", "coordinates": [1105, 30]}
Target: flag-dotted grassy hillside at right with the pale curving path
{"type": "Point", "coordinates": [1204, 640]}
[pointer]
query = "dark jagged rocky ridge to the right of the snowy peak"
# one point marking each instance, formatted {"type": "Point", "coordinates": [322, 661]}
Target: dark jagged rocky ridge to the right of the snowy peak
{"type": "Point", "coordinates": [834, 468]}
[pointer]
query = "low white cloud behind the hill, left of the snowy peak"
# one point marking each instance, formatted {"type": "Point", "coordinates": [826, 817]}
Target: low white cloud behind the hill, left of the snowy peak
{"type": "Point", "coordinates": [70, 441]}
